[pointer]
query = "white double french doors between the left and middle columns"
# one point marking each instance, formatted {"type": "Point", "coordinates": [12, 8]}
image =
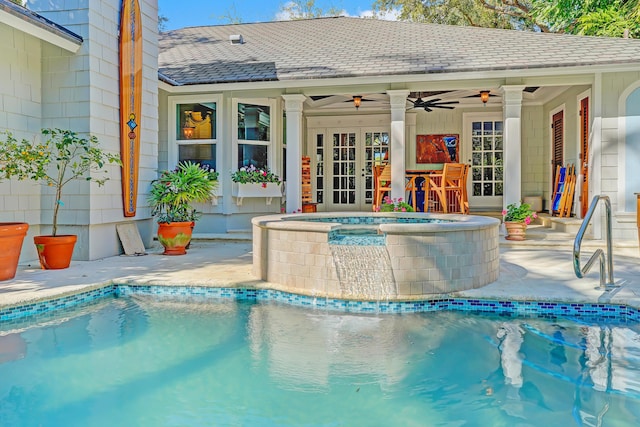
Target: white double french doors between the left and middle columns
{"type": "Point", "coordinates": [344, 163]}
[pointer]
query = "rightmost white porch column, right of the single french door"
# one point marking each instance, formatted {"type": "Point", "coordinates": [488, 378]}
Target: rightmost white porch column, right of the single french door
{"type": "Point", "coordinates": [512, 110]}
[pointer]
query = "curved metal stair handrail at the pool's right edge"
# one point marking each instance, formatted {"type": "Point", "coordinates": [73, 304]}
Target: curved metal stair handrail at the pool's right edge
{"type": "Point", "coordinates": [599, 253]}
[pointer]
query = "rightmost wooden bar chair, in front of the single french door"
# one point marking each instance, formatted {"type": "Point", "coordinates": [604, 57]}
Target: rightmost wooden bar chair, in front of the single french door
{"type": "Point", "coordinates": [449, 188]}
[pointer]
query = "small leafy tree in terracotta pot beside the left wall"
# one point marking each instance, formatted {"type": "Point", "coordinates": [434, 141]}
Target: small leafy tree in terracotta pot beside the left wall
{"type": "Point", "coordinates": [60, 157]}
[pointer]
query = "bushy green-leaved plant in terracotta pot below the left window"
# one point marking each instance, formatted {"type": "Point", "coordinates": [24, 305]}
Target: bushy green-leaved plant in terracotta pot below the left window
{"type": "Point", "coordinates": [171, 198]}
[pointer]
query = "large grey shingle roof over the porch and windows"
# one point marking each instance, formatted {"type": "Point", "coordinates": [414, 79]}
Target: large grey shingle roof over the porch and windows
{"type": "Point", "coordinates": [327, 48]}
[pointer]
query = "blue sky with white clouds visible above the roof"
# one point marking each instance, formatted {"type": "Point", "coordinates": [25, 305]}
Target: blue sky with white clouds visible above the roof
{"type": "Point", "coordinates": [192, 13]}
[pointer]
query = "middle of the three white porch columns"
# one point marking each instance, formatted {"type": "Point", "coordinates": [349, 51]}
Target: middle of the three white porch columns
{"type": "Point", "coordinates": [398, 101]}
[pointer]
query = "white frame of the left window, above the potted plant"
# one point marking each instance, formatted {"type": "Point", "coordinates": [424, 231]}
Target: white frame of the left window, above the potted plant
{"type": "Point", "coordinates": [174, 142]}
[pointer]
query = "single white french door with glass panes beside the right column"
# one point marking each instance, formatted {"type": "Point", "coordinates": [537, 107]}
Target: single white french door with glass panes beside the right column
{"type": "Point", "coordinates": [485, 153]}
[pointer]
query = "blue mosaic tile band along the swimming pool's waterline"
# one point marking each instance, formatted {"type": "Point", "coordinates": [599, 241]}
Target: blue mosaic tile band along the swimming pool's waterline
{"type": "Point", "coordinates": [599, 312]}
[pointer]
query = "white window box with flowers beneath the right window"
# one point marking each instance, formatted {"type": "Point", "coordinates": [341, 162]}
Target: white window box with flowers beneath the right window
{"type": "Point", "coordinates": [251, 181]}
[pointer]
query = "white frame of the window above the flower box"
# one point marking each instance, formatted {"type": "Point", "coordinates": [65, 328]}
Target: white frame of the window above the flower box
{"type": "Point", "coordinates": [272, 156]}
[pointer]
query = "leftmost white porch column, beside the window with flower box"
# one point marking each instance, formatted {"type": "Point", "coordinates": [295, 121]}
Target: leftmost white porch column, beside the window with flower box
{"type": "Point", "coordinates": [293, 107]}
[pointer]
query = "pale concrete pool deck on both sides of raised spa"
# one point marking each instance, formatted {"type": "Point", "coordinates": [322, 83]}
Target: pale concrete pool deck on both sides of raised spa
{"type": "Point", "coordinates": [538, 269]}
